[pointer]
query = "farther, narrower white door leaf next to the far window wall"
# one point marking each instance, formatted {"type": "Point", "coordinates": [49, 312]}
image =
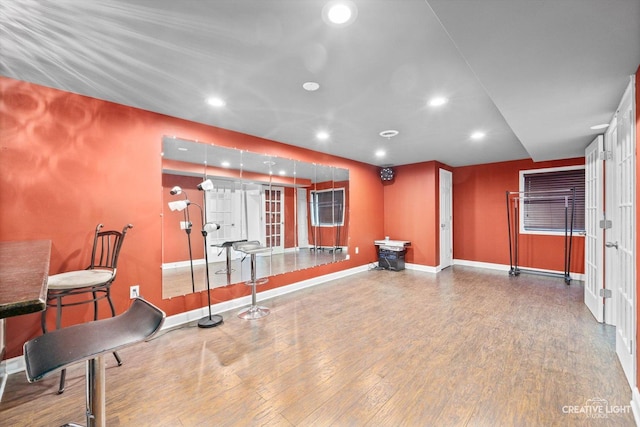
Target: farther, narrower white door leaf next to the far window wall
{"type": "Point", "coordinates": [593, 257]}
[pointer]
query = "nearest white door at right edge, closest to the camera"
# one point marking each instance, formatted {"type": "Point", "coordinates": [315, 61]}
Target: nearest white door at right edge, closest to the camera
{"type": "Point", "coordinates": [623, 247]}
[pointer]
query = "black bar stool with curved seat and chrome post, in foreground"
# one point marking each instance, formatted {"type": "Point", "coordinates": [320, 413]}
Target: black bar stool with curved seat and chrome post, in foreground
{"type": "Point", "coordinates": [89, 342]}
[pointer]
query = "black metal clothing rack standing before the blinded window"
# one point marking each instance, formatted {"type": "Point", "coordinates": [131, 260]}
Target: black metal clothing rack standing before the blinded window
{"type": "Point", "coordinates": [514, 198]}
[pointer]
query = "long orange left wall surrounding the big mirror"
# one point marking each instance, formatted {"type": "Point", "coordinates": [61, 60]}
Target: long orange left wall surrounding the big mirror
{"type": "Point", "coordinates": [68, 162]}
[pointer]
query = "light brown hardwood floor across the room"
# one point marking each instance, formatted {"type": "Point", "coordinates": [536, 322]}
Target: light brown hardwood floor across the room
{"type": "Point", "coordinates": [464, 347]}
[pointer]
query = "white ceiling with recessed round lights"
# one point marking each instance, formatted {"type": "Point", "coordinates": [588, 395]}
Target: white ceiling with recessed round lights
{"type": "Point", "coordinates": [533, 74]}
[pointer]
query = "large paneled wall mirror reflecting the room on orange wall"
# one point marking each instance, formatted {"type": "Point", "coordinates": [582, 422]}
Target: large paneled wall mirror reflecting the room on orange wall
{"type": "Point", "coordinates": [298, 211]}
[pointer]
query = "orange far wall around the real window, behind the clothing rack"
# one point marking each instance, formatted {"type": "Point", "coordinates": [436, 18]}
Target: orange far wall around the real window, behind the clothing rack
{"type": "Point", "coordinates": [480, 230]}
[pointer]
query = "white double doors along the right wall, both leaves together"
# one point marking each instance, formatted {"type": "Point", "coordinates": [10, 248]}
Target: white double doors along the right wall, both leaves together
{"type": "Point", "coordinates": [610, 281]}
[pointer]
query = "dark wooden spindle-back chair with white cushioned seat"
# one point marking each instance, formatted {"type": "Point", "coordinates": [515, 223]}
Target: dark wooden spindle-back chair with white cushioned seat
{"type": "Point", "coordinates": [89, 285]}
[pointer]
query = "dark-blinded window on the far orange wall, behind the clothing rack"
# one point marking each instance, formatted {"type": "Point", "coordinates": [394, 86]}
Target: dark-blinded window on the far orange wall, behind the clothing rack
{"type": "Point", "coordinates": [548, 193]}
